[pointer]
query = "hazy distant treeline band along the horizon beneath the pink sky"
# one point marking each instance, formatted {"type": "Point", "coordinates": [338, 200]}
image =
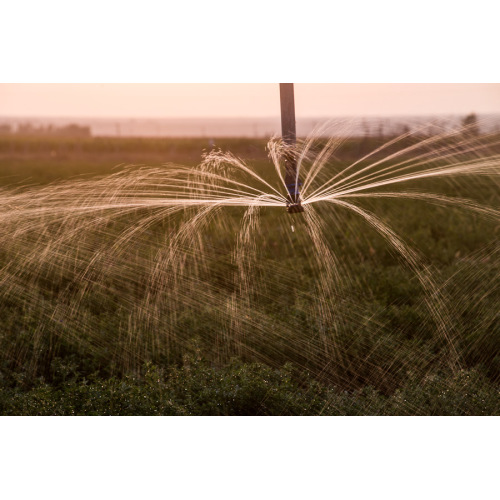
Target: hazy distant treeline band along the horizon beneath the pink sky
{"type": "Point", "coordinates": [256, 128]}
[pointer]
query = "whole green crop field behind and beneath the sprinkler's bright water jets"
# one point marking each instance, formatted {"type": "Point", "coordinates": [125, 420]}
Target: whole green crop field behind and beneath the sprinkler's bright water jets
{"type": "Point", "coordinates": [99, 331]}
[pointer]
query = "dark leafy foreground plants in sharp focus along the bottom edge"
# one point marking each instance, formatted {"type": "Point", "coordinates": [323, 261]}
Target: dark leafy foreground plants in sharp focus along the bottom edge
{"type": "Point", "coordinates": [197, 388]}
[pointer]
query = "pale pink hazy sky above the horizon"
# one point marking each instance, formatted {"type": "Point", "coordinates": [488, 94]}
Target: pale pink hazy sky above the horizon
{"type": "Point", "coordinates": [243, 100]}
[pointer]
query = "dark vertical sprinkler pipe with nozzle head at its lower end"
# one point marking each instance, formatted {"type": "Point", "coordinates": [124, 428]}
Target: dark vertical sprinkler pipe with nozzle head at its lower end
{"type": "Point", "coordinates": [288, 133]}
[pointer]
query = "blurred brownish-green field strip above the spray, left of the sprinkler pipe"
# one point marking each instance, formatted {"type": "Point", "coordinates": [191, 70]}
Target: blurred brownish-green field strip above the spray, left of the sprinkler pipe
{"type": "Point", "coordinates": [40, 160]}
